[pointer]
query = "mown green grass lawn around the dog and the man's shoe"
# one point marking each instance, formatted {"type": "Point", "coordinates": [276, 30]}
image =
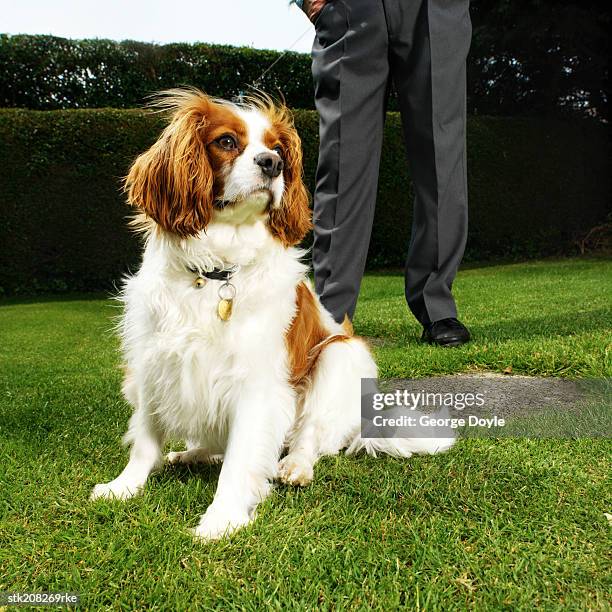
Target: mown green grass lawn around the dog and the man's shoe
{"type": "Point", "coordinates": [494, 524]}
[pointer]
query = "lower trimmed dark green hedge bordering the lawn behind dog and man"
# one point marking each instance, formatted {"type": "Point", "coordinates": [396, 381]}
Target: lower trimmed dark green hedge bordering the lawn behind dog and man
{"type": "Point", "coordinates": [535, 186]}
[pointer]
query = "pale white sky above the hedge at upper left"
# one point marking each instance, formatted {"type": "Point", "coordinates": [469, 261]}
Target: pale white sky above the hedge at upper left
{"type": "Point", "coordinates": [263, 24]}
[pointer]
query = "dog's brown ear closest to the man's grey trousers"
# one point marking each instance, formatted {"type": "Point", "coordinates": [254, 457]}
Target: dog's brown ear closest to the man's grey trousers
{"type": "Point", "coordinates": [293, 219]}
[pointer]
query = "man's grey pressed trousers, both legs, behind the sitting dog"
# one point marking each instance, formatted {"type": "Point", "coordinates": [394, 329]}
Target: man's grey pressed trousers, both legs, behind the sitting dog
{"type": "Point", "coordinates": [360, 45]}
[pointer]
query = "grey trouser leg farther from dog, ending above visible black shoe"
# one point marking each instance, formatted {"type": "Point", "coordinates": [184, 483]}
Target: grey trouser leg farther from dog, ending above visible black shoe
{"type": "Point", "coordinates": [429, 42]}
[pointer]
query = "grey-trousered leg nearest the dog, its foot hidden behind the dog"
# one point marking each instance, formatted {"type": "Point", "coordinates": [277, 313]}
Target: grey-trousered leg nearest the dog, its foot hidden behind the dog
{"type": "Point", "coordinates": [350, 71]}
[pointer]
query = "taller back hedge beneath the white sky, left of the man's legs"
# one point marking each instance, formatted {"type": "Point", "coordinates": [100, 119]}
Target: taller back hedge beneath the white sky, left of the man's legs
{"type": "Point", "coordinates": [49, 72]}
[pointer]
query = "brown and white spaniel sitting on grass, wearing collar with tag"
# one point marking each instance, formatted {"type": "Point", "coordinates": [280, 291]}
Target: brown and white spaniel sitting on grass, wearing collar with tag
{"type": "Point", "coordinates": [225, 343]}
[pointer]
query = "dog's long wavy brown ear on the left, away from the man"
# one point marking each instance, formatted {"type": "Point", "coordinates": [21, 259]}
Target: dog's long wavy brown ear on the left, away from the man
{"type": "Point", "coordinates": [172, 182]}
